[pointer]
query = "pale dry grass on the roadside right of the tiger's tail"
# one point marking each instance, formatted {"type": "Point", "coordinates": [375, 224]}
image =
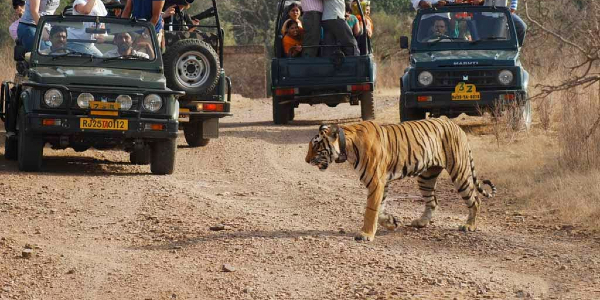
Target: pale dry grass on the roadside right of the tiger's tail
{"type": "Point", "coordinates": [552, 171]}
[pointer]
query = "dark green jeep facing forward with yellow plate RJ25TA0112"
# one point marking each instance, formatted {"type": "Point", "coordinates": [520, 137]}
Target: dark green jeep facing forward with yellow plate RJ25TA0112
{"type": "Point", "coordinates": [85, 86]}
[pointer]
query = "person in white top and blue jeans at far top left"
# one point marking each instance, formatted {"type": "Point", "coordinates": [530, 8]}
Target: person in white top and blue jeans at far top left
{"type": "Point", "coordinates": [34, 9]}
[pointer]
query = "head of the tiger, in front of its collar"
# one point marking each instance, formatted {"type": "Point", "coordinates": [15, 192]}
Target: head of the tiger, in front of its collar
{"type": "Point", "coordinates": [324, 147]}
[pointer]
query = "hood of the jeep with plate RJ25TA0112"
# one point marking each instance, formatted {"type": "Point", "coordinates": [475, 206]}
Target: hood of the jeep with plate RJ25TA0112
{"type": "Point", "coordinates": [98, 77]}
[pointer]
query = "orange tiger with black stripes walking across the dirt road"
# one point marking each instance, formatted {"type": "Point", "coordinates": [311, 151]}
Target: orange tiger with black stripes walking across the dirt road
{"type": "Point", "coordinates": [380, 153]}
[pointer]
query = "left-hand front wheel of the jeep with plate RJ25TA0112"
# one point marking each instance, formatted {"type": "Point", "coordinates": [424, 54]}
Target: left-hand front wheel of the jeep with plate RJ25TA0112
{"type": "Point", "coordinates": [30, 147]}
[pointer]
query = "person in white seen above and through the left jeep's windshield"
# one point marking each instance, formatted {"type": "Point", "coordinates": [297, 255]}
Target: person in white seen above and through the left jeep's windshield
{"type": "Point", "coordinates": [89, 8]}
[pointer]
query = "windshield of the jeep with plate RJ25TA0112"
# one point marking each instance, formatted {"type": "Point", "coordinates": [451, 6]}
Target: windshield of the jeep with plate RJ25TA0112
{"type": "Point", "coordinates": [94, 39]}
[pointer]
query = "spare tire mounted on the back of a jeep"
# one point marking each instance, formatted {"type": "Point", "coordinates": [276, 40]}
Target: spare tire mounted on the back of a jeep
{"type": "Point", "coordinates": [191, 66]}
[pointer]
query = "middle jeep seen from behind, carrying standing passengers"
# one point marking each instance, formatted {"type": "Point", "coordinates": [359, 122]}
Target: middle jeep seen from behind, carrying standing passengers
{"type": "Point", "coordinates": [321, 80]}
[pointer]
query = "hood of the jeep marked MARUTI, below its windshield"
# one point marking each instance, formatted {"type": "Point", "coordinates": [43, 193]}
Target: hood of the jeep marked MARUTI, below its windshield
{"type": "Point", "coordinates": [450, 58]}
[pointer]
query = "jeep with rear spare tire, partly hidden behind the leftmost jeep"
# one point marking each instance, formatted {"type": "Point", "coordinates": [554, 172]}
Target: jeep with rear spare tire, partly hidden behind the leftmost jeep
{"type": "Point", "coordinates": [194, 64]}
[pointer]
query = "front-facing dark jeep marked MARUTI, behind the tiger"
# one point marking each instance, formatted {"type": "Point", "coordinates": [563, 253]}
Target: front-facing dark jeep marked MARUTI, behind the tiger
{"type": "Point", "coordinates": [463, 59]}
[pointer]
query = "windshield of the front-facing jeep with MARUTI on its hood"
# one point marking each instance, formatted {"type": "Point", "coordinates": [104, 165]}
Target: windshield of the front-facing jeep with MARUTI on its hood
{"type": "Point", "coordinates": [463, 28]}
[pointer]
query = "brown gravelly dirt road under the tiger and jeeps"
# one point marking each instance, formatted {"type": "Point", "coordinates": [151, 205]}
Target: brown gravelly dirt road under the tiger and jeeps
{"type": "Point", "coordinates": [101, 228]}
